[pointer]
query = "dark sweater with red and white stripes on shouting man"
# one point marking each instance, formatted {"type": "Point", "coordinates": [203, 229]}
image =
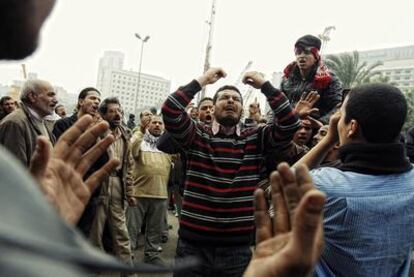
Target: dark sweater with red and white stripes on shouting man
{"type": "Point", "coordinates": [223, 171]}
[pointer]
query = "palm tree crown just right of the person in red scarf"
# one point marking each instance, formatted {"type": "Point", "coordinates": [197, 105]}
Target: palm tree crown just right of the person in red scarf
{"type": "Point", "coordinates": [349, 69]}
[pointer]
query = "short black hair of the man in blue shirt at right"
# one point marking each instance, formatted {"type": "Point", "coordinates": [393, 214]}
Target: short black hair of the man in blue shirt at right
{"type": "Point", "coordinates": [379, 109]}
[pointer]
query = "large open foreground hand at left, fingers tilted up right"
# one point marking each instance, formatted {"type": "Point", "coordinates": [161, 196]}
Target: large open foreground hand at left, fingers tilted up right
{"type": "Point", "coordinates": [59, 171]}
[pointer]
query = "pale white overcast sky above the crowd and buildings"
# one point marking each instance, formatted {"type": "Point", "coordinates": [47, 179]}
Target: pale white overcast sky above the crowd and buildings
{"type": "Point", "coordinates": [264, 31]}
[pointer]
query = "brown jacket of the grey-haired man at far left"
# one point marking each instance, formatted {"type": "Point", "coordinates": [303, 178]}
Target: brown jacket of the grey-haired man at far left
{"type": "Point", "coordinates": [18, 134]}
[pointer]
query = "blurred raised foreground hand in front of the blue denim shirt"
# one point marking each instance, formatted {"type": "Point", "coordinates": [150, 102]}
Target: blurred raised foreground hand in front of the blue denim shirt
{"type": "Point", "coordinates": [291, 243]}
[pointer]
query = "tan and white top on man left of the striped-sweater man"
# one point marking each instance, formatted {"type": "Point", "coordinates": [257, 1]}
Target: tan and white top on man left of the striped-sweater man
{"type": "Point", "coordinates": [150, 170]}
